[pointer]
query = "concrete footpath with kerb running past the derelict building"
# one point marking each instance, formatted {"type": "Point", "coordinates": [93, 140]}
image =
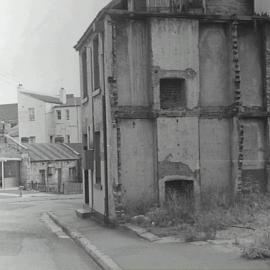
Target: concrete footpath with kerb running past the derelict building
{"type": "Point", "coordinates": [125, 250]}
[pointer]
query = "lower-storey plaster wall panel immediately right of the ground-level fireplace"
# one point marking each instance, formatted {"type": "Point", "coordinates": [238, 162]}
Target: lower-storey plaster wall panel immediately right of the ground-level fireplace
{"type": "Point", "coordinates": [215, 155]}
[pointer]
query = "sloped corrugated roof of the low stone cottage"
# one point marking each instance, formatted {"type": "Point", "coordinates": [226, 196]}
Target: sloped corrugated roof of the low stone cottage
{"type": "Point", "coordinates": [50, 152]}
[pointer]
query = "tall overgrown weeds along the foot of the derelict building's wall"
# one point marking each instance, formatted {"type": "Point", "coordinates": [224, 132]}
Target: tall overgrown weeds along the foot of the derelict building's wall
{"type": "Point", "coordinates": [214, 214]}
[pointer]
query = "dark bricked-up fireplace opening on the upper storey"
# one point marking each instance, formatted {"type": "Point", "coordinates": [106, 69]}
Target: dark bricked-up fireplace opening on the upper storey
{"type": "Point", "coordinates": [172, 93]}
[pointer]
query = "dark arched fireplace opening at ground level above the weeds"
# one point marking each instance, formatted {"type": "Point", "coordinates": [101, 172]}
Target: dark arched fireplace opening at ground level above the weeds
{"type": "Point", "coordinates": [179, 191]}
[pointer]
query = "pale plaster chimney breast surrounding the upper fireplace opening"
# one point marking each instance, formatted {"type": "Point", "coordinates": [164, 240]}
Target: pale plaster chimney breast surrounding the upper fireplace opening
{"type": "Point", "coordinates": [175, 54]}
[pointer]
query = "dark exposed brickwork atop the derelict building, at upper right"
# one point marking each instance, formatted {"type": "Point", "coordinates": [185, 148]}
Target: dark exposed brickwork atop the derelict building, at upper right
{"type": "Point", "coordinates": [240, 7]}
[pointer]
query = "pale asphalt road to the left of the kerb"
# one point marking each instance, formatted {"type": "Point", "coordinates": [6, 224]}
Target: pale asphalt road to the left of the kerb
{"type": "Point", "coordinates": [29, 242]}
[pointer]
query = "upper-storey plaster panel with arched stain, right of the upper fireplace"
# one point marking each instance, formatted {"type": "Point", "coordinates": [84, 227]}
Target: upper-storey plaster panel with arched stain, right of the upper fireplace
{"type": "Point", "coordinates": [215, 65]}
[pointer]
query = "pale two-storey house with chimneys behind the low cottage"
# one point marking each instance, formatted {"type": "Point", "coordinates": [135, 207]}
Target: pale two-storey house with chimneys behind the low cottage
{"type": "Point", "coordinates": [48, 119]}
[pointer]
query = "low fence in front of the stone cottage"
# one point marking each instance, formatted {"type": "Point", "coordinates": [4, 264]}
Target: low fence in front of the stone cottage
{"type": "Point", "coordinates": [65, 188]}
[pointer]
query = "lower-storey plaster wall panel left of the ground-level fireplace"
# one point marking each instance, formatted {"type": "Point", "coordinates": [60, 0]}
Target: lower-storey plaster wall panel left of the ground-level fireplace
{"type": "Point", "coordinates": [137, 162]}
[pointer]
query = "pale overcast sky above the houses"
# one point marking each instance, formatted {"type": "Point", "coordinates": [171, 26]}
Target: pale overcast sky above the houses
{"type": "Point", "coordinates": [36, 44]}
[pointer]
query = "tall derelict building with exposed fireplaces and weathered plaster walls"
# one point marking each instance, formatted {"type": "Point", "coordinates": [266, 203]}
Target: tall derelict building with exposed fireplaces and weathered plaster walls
{"type": "Point", "coordinates": [176, 97]}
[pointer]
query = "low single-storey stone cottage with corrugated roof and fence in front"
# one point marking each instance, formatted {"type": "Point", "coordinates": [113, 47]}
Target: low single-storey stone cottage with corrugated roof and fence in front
{"type": "Point", "coordinates": [44, 167]}
